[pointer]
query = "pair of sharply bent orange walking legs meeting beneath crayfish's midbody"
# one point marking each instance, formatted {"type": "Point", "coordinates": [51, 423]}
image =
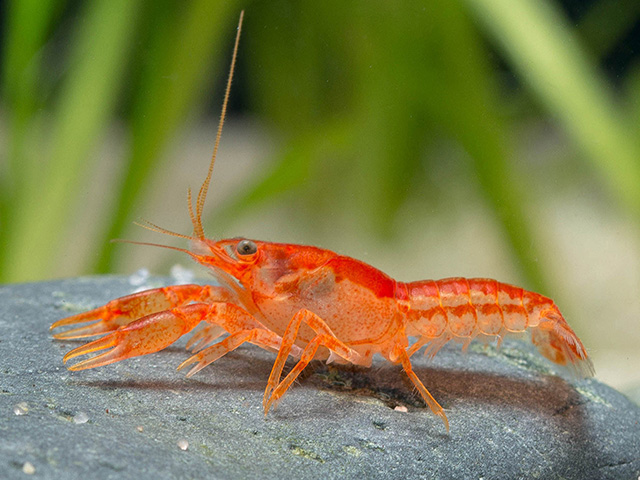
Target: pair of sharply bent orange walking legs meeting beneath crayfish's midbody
{"type": "Point", "coordinates": [275, 389]}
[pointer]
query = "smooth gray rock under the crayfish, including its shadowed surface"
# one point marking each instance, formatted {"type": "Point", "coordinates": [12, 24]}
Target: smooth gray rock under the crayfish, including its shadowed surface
{"type": "Point", "coordinates": [511, 416]}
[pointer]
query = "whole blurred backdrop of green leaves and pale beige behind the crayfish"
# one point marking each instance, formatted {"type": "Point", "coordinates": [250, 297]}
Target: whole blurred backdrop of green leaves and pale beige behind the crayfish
{"type": "Point", "coordinates": [494, 138]}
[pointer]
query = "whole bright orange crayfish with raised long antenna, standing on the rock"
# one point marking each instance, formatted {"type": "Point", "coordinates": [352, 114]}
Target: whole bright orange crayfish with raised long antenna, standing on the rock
{"type": "Point", "coordinates": [311, 303]}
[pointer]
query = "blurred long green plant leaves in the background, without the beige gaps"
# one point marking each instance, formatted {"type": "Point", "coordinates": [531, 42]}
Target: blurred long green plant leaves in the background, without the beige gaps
{"type": "Point", "coordinates": [366, 100]}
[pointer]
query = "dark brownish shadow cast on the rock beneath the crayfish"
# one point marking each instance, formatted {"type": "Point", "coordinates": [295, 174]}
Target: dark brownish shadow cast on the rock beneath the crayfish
{"type": "Point", "coordinates": [247, 369]}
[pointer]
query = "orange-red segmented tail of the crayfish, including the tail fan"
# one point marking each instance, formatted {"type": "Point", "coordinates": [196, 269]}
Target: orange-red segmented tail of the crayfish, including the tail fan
{"type": "Point", "coordinates": [463, 309]}
